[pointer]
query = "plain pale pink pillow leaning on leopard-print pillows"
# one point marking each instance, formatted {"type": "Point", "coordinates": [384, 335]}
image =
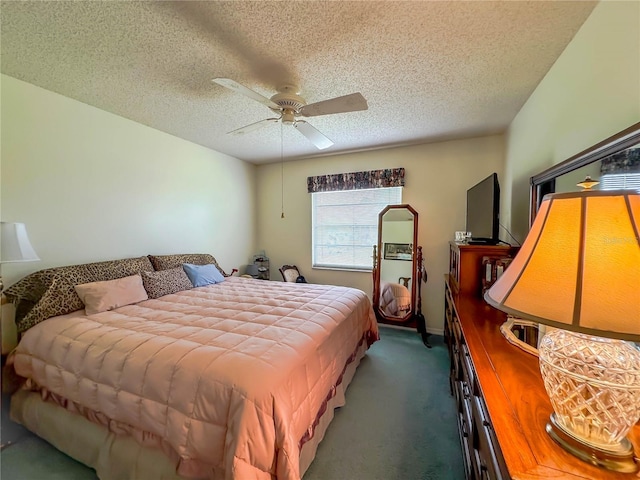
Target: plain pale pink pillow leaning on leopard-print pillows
{"type": "Point", "coordinates": [102, 296]}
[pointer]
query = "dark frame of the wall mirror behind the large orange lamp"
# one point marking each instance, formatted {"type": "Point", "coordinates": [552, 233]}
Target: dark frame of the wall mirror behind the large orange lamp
{"type": "Point", "coordinates": [544, 182]}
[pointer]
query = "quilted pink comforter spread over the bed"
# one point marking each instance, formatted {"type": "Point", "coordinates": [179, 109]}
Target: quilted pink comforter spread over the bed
{"type": "Point", "coordinates": [231, 376]}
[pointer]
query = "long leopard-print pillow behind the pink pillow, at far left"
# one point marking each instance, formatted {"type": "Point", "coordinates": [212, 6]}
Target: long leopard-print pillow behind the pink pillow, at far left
{"type": "Point", "coordinates": [51, 292]}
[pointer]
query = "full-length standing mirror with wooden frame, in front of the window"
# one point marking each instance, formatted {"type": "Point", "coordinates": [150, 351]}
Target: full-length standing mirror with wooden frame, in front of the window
{"type": "Point", "coordinates": [395, 261]}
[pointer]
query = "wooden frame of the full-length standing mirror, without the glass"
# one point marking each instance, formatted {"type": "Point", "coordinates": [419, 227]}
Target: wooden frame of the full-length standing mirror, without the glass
{"type": "Point", "coordinates": [409, 318]}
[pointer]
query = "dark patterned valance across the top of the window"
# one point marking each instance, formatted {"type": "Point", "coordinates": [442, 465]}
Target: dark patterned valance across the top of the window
{"type": "Point", "coordinates": [391, 177]}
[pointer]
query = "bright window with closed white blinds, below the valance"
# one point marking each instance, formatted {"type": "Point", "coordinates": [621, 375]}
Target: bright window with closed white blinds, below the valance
{"type": "Point", "coordinates": [345, 226]}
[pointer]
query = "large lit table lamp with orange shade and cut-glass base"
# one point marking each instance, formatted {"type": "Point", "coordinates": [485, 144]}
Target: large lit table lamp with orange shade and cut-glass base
{"type": "Point", "coordinates": [579, 270]}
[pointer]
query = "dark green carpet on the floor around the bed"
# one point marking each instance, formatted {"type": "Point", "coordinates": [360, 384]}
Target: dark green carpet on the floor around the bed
{"type": "Point", "coordinates": [399, 423]}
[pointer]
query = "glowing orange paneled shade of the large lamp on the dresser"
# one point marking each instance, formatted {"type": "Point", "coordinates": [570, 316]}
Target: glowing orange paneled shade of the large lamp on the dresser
{"type": "Point", "coordinates": [579, 267]}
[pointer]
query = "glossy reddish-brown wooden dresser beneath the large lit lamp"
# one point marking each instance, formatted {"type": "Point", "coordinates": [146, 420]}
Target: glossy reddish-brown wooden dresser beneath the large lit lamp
{"type": "Point", "coordinates": [502, 404]}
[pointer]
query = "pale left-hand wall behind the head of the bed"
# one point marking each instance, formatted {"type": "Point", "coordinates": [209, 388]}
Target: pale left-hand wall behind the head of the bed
{"type": "Point", "coordinates": [91, 186]}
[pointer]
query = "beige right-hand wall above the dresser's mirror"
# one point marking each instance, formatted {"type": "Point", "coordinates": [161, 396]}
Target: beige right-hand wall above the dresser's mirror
{"type": "Point", "coordinates": [590, 93]}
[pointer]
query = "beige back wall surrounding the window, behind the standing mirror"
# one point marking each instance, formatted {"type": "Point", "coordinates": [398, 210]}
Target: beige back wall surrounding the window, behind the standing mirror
{"type": "Point", "coordinates": [437, 178]}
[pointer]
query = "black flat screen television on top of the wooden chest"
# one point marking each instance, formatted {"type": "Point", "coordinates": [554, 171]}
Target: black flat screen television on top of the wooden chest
{"type": "Point", "coordinates": [483, 211]}
